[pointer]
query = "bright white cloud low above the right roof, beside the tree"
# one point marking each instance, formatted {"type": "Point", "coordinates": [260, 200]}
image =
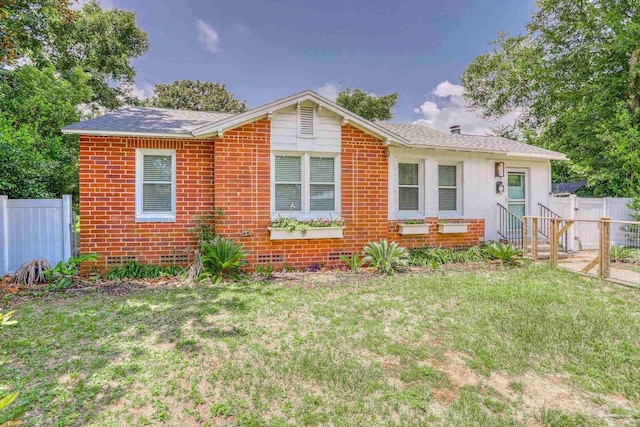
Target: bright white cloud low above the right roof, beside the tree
{"type": "Point", "coordinates": [448, 108]}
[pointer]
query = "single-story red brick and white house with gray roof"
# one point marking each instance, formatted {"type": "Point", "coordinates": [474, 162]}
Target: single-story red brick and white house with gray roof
{"type": "Point", "coordinates": [147, 173]}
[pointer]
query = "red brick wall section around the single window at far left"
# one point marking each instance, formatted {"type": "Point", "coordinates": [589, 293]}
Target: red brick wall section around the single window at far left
{"type": "Point", "coordinates": [107, 197]}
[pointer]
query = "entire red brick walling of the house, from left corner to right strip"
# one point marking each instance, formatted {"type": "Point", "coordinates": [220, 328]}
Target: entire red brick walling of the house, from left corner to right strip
{"type": "Point", "coordinates": [240, 182]}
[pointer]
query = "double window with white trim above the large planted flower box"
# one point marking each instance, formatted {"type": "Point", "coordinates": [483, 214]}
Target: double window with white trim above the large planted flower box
{"type": "Point", "coordinates": [306, 184]}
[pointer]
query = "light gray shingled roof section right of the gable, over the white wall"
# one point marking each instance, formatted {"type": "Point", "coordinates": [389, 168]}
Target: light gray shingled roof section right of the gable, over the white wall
{"type": "Point", "coordinates": [421, 135]}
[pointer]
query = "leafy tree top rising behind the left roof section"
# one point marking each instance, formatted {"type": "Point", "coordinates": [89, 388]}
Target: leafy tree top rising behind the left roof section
{"type": "Point", "coordinates": [196, 95]}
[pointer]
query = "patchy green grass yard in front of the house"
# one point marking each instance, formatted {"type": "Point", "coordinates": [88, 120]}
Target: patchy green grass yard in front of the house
{"type": "Point", "coordinates": [533, 346]}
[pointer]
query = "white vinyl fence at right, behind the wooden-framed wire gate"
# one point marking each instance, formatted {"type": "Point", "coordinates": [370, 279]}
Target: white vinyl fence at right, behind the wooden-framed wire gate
{"type": "Point", "coordinates": [585, 235]}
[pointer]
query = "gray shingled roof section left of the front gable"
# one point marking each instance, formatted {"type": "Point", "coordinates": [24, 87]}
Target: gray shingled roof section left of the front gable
{"type": "Point", "coordinates": [149, 120]}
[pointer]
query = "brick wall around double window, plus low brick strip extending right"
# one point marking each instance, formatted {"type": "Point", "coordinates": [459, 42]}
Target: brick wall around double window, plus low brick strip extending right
{"type": "Point", "coordinates": [242, 188]}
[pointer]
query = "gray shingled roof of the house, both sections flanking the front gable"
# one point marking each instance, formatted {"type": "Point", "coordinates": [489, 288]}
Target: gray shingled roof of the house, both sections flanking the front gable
{"type": "Point", "coordinates": [159, 121]}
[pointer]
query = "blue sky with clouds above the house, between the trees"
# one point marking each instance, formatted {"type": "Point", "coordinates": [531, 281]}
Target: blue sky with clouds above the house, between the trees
{"type": "Point", "coordinates": [264, 50]}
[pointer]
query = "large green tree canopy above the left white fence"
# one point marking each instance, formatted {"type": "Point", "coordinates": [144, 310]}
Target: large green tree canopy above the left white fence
{"type": "Point", "coordinates": [55, 63]}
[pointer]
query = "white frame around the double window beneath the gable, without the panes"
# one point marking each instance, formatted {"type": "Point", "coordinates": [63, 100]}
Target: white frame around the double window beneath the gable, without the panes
{"type": "Point", "coordinates": [306, 212]}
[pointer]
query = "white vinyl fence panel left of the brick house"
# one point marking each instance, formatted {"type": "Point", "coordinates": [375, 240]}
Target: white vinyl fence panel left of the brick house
{"type": "Point", "coordinates": [32, 229]}
